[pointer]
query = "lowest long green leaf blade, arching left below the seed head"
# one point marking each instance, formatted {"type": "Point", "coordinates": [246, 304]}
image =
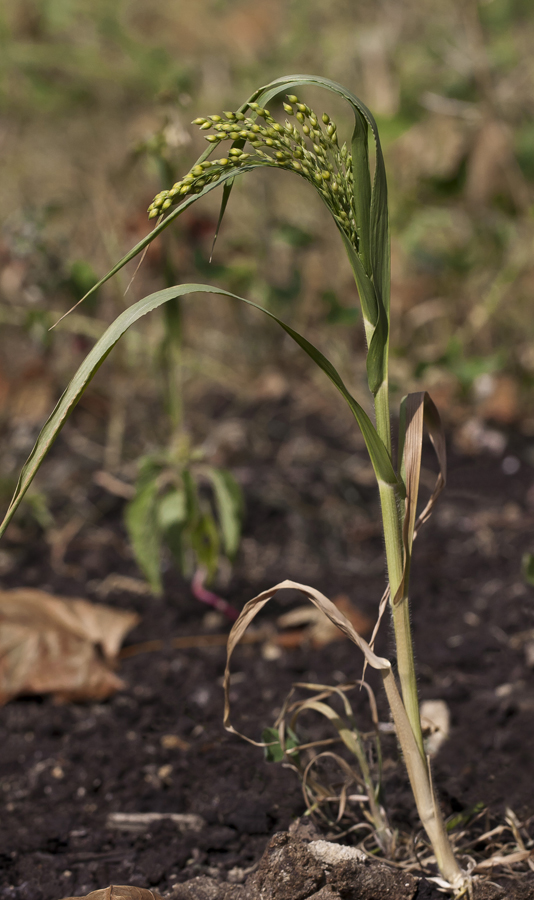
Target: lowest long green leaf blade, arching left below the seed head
{"type": "Point", "coordinates": [378, 453]}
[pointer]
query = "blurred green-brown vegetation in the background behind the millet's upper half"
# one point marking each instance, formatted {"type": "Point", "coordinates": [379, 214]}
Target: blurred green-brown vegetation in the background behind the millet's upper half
{"type": "Point", "coordinates": [96, 100]}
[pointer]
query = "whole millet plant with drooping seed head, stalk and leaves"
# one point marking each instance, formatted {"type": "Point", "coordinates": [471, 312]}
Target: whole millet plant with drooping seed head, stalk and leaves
{"type": "Point", "coordinates": [308, 146]}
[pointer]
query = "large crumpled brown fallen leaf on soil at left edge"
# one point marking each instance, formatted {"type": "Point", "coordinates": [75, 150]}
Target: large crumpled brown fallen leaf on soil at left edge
{"type": "Point", "coordinates": [66, 647]}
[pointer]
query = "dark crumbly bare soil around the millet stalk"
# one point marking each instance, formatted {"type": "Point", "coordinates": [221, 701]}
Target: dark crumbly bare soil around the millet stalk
{"type": "Point", "coordinates": [66, 768]}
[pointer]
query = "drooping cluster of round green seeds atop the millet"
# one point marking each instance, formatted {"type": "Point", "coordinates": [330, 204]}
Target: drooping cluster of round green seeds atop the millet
{"type": "Point", "coordinates": [311, 150]}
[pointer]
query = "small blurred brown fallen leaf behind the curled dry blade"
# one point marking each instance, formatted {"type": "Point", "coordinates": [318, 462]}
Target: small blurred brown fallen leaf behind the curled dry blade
{"type": "Point", "coordinates": [318, 629]}
